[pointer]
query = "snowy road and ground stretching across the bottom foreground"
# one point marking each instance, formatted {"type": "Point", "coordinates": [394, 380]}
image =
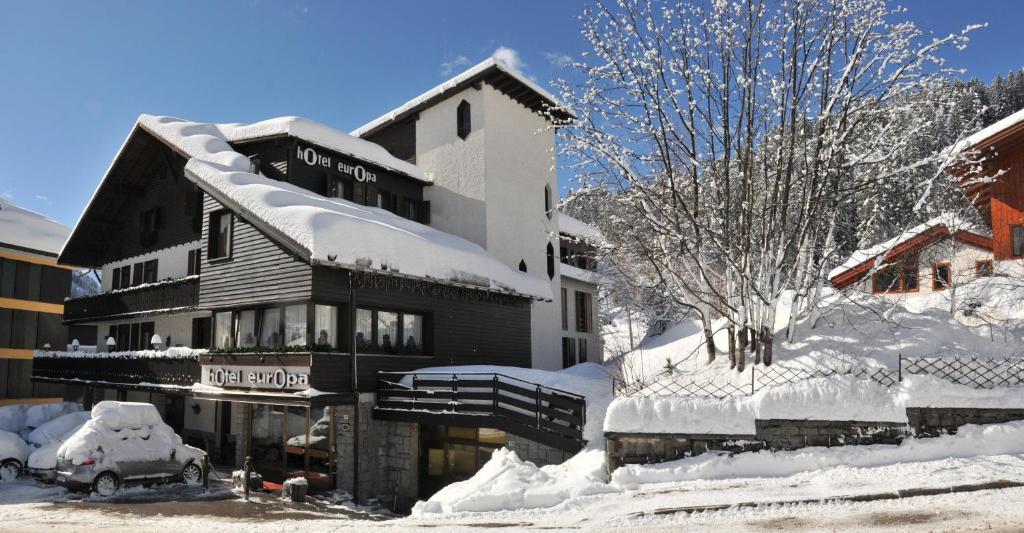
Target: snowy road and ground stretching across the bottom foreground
{"type": "Point", "coordinates": [26, 508]}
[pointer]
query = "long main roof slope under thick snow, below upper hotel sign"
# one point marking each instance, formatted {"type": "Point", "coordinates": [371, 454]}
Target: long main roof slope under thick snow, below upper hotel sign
{"type": "Point", "coordinates": [335, 231]}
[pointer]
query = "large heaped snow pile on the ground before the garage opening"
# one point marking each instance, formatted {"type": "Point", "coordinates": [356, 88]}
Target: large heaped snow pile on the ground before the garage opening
{"type": "Point", "coordinates": [506, 482]}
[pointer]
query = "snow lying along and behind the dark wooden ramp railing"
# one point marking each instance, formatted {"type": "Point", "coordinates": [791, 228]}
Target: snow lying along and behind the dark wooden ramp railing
{"type": "Point", "coordinates": [588, 380]}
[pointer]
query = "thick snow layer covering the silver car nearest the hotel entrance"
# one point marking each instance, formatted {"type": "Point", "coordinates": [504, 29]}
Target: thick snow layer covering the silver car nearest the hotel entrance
{"type": "Point", "coordinates": [125, 432]}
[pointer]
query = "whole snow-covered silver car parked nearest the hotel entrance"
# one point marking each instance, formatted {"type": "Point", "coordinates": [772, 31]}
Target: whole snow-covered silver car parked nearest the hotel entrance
{"type": "Point", "coordinates": [125, 443]}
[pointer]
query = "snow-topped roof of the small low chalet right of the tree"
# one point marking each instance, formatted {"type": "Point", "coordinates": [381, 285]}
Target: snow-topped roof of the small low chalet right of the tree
{"type": "Point", "coordinates": [944, 226]}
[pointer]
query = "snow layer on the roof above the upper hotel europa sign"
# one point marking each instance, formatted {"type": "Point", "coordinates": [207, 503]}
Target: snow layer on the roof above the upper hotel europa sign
{"type": "Point", "coordinates": [325, 137]}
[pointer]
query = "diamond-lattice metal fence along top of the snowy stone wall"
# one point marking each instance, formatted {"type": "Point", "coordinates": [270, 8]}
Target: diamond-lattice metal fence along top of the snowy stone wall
{"type": "Point", "coordinates": [973, 372]}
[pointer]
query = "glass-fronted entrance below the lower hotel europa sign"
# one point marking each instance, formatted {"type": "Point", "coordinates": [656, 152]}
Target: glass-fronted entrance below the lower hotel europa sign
{"type": "Point", "coordinates": [292, 442]}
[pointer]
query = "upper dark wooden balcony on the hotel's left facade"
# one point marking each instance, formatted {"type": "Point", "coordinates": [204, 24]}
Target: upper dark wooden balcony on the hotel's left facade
{"type": "Point", "coordinates": [173, 295]}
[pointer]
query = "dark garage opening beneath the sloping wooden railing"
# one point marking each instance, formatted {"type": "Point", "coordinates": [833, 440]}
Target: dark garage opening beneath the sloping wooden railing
{"type": "Point", "coordinates": [451, 454]}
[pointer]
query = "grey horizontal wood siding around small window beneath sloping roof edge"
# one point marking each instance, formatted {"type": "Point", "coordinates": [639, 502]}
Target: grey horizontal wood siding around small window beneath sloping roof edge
{"type": "Point", "coordinates": [259, 272]}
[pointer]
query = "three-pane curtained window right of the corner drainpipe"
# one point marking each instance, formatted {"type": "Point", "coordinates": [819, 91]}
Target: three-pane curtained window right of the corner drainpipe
{"type": "Point", "coordinates": [390, 332]}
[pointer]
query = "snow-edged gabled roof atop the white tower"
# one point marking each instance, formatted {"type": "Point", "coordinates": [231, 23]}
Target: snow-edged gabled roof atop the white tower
{"type": "Point", "coordinates": [492, 72]}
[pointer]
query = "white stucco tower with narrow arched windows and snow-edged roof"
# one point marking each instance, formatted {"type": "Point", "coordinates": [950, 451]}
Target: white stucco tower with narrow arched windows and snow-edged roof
{"type": "Point", "coordinates": [487, 145]}
